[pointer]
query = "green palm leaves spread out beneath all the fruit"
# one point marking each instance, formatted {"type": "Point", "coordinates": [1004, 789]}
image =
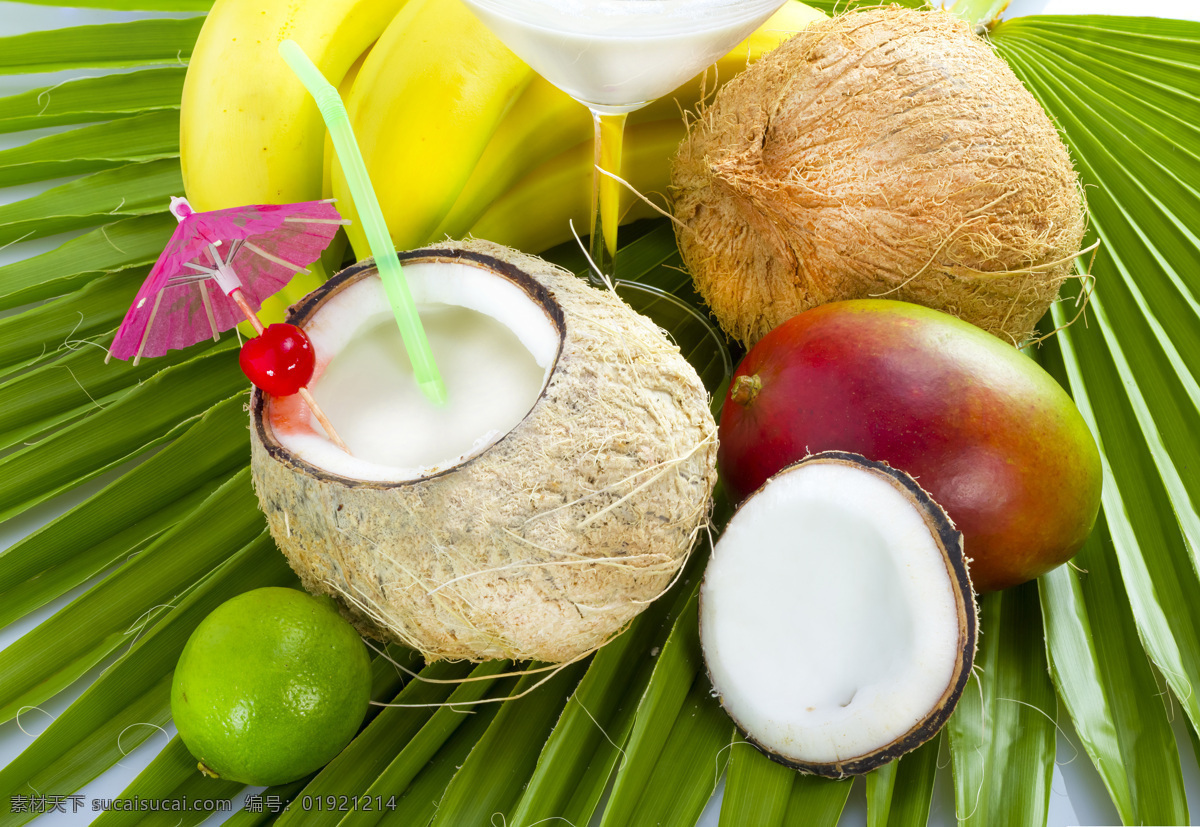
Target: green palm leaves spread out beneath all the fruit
{"type": "Point", "coordinates": [1125, 95]}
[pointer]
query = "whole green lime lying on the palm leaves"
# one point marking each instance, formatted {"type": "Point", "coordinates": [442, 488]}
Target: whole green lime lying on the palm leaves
{"type": "Point", "coordinates": [271, 687]}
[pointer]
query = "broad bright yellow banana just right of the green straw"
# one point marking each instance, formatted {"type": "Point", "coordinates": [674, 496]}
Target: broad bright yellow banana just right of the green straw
{"type": "Point", "coordinates": [427, 103]}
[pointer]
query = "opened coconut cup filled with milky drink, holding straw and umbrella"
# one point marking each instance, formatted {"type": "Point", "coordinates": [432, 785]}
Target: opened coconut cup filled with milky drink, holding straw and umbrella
{"type": "Point", "coordinates": [556, 495]}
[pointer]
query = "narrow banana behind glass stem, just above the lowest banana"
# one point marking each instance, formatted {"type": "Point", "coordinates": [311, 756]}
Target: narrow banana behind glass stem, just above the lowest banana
{"type": "Point", "coordinates": [545, 122]}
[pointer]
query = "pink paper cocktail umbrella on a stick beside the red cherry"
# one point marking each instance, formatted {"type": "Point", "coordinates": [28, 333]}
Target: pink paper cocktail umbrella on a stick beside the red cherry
{"type": "Point", "coordinates": [218, 268]}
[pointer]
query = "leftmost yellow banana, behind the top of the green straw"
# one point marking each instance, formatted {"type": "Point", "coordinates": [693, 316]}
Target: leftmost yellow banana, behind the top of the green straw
{"type": "Point", "coordinates": [250, 133]}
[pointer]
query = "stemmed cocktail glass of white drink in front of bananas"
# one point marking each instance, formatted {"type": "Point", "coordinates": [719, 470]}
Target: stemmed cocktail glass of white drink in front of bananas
{"type": "Point", "coordinates": [616, 57]}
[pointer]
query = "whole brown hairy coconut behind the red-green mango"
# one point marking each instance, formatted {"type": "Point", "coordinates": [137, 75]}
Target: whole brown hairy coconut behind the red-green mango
{"type": "Point", "coordinates": [879, 154]}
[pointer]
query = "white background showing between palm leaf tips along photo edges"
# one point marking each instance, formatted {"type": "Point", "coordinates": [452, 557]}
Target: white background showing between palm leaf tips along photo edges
{"type": "Point", "coordinates": [1078, 796]}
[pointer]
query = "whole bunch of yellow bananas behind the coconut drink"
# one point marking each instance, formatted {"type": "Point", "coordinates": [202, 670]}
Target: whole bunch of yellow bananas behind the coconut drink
{"type": "Point", "coordinates": [460, 137]}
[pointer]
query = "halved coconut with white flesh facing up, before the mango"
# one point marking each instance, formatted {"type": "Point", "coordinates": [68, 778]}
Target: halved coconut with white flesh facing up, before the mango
{"type": "Point", "coordinates": [837, 616]}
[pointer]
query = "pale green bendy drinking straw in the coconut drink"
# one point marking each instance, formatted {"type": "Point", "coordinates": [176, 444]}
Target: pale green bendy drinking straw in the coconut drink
{"type": "Point", "coordinates": [374, 226]}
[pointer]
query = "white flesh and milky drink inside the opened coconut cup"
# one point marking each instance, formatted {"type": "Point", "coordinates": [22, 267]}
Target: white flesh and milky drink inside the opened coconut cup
{"type": "Point", "coordinates": [494, 346]}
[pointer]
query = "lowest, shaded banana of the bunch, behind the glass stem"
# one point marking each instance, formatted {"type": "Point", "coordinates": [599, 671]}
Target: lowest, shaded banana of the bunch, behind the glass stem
{"type": "Point", "coordinates": [538, 213]}
